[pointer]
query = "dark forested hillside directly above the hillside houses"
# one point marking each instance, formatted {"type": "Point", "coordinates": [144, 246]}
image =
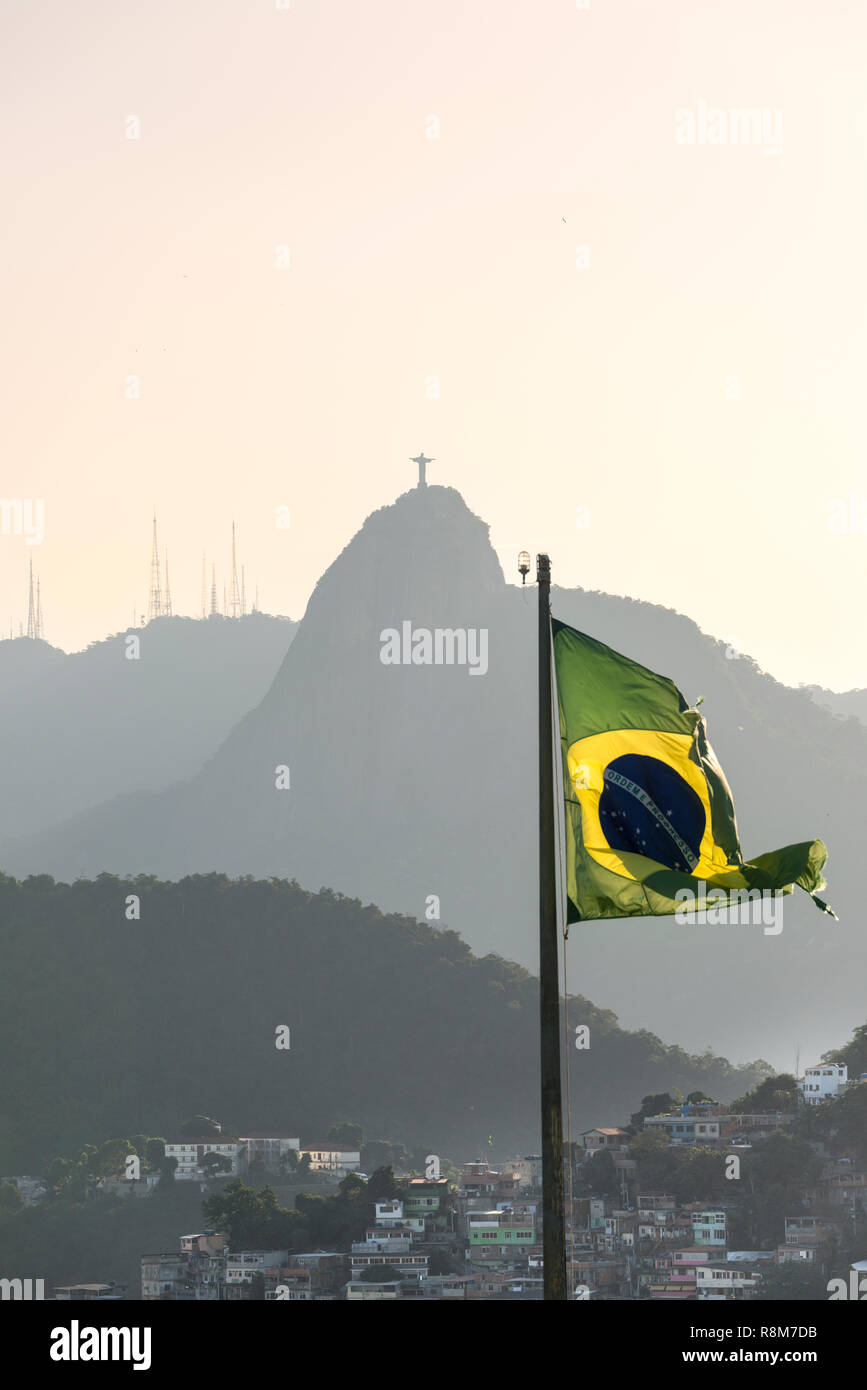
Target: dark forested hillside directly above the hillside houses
{"type": "Point", "coordinates": [122, 1025]}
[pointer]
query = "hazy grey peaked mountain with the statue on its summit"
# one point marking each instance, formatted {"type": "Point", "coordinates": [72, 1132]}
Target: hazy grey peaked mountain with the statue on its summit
{"type": "Point", "coordinates": [419, 780]}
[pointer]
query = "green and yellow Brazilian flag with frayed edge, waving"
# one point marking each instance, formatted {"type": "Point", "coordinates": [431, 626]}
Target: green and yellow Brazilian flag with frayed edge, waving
{"type": "Point", "coordinates": [648, 810]}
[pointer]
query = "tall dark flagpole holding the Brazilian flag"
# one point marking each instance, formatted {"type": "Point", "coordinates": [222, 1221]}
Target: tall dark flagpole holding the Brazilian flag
{"type": "Point", "coordinates": [554, 1224]}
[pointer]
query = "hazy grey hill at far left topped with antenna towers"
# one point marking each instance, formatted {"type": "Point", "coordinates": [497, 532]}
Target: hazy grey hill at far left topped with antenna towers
{"type": "Point", "coordinates": [83, 728]}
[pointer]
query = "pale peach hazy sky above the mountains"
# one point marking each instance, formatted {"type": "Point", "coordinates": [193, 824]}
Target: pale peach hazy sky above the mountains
{"type": "Point", "coordinates": [694, 379]}
